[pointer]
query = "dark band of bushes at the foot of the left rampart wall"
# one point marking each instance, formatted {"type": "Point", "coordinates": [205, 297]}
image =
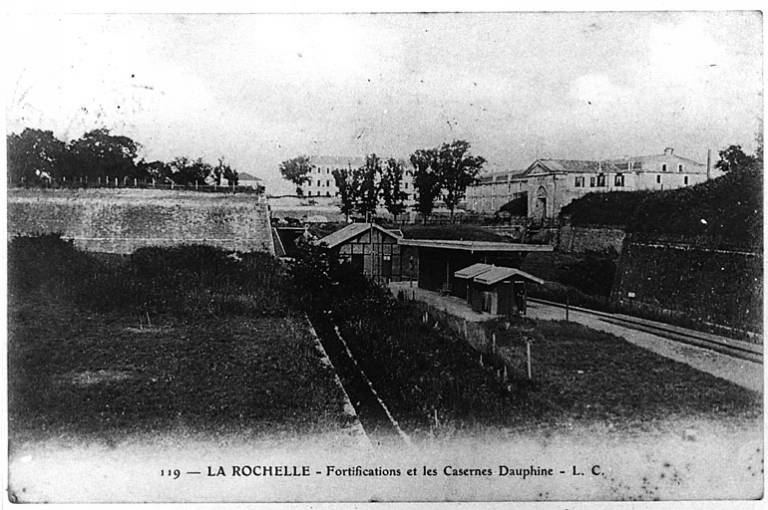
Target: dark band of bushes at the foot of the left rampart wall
{"type": "Point", "coordinates": [182, 280]}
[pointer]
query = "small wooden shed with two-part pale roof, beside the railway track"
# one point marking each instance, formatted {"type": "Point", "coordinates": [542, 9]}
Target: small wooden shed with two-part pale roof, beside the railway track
{"type": "Point", "coordinates": [496, 290]}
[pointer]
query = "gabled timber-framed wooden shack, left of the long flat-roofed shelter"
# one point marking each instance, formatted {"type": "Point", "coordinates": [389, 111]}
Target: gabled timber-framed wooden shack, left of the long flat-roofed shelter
{"type": "Point", "coordinates": [369, 249]}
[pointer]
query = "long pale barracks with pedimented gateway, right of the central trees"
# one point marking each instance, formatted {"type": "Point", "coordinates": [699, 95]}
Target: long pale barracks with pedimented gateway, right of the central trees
{"type": "Point", "coordinates": [548, 185]}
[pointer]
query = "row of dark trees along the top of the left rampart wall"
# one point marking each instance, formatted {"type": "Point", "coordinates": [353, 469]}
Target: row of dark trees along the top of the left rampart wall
{"type": "Point", "coordinates": [37, 157]}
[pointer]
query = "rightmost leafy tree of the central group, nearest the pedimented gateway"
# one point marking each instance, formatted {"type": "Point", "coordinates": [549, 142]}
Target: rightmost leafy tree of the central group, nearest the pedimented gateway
{"type": "Point", "coordinates": [457, 169]}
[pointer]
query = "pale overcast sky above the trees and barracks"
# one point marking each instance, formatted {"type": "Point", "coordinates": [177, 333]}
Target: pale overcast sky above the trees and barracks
{"type": "Point", "coordinates": [259, 89]}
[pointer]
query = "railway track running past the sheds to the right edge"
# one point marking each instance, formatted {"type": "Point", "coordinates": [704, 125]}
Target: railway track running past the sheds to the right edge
{"type": "Point", "coordinates": [735, 348]}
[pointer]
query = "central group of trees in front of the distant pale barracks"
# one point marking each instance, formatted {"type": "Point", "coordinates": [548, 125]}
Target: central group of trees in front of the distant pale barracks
{"type": "Point", "coordinates": [439, 173]}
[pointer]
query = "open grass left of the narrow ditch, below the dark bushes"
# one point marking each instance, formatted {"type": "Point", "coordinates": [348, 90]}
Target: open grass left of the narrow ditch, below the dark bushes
{"type": "Point", "coordinates": [83, 372]}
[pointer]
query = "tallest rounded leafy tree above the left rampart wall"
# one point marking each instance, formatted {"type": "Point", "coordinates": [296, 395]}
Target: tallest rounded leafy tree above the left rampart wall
{"type": "Point", "coordinates": [100, 154]}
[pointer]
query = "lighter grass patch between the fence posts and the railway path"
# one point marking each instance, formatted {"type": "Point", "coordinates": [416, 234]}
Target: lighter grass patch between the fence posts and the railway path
{"type": "Point", "coordinates": [586, 375]}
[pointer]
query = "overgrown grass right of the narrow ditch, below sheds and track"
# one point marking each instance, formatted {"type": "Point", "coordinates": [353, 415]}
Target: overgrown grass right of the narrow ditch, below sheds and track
{"type": "Point", "coordinates": [582, 378]}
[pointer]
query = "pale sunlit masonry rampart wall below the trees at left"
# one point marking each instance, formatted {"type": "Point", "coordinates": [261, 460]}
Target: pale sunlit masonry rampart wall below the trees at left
{"type": "Point", "coordinates": [122, 220]}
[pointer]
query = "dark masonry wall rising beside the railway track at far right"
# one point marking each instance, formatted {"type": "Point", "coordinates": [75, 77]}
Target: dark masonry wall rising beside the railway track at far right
{"type": "Point", "coordinates": [704, 287]}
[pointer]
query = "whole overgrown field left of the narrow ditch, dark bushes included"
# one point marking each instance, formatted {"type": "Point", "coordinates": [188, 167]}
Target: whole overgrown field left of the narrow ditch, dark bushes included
{"type": "Point", "coordinates": [180, 359]}
